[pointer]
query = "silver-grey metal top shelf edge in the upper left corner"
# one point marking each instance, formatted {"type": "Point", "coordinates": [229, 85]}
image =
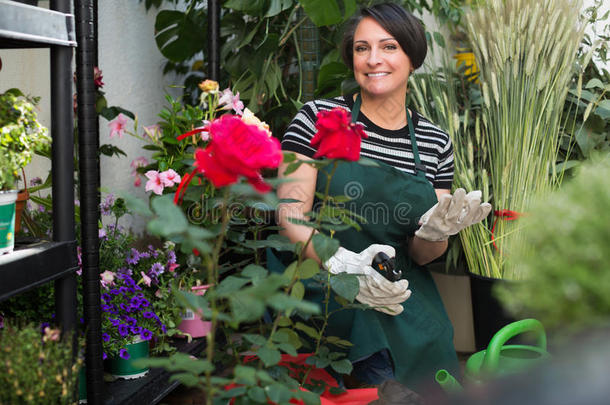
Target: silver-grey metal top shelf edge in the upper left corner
{"type": "Point", "coordinates": [24, 26]}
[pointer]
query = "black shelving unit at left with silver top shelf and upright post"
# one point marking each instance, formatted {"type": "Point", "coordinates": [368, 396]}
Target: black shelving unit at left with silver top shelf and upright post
{"type": "Point", "coordinates": [31, 265]}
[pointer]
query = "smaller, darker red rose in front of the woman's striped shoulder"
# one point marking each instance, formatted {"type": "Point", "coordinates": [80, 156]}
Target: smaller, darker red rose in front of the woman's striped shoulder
{"type": "Point", "coordinates": [337, 136]}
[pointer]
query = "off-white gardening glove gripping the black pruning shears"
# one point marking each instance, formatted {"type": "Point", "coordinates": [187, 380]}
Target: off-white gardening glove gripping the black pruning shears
{"type": "Point", "coordinates": [375, 290]}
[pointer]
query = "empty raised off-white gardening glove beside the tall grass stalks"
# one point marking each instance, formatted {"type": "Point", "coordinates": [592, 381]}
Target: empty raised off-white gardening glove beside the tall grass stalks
{"type": "Point", "coordinates": [451, 214]}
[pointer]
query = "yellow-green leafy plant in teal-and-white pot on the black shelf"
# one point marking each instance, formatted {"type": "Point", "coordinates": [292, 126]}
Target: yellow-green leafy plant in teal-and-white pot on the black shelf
{"type": "Point", "coordinates": [21, 135]}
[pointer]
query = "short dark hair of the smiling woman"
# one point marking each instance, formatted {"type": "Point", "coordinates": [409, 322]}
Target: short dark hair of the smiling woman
{"type": "Point", "coordinates": [402, 25]}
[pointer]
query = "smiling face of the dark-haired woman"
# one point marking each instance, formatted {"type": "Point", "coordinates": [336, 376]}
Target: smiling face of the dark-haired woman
{"type": "Point", "coordinates": [381, 67]}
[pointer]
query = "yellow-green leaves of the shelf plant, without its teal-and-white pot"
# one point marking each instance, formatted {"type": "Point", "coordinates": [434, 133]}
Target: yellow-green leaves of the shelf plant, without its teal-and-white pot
{"type": "Point", "coordinates": [21, 135]}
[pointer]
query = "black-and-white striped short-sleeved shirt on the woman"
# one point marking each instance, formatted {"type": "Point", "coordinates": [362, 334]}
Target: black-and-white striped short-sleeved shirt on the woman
{"type": "Point", "coordinates": [392, 147]}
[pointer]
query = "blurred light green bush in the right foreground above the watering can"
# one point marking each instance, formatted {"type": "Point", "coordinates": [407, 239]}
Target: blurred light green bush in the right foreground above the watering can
{"type": "Point", "coordinates": [564, 256]}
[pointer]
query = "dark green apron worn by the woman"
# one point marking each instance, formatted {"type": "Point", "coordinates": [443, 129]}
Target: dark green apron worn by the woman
{"type": "Point", "coordinates": [420, 339]}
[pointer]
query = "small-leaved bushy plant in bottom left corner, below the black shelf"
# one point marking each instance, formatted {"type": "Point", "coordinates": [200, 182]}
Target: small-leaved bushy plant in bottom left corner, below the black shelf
{"type": "Point", "coordinates": [37, 368]}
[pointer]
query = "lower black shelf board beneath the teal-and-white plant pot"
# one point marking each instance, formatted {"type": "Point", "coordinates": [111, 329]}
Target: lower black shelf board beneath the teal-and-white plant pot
{"type": "Point", "coordinates": [35, 264]}
